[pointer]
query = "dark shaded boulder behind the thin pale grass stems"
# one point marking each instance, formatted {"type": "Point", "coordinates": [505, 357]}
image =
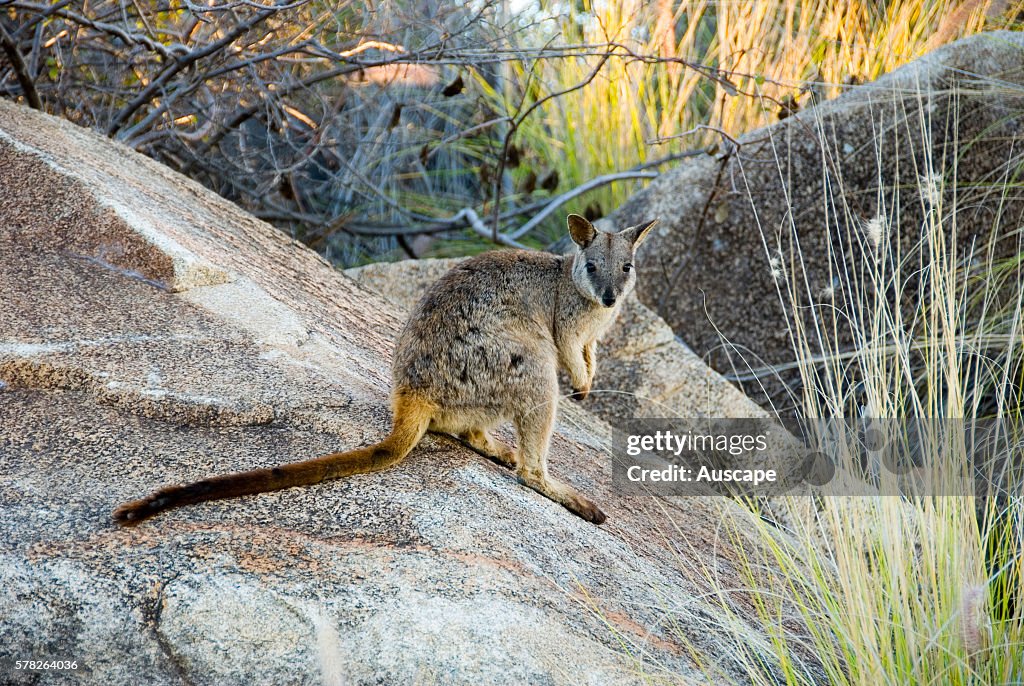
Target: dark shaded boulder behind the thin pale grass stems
{"type": "Point", "coordinates": [795, 204]}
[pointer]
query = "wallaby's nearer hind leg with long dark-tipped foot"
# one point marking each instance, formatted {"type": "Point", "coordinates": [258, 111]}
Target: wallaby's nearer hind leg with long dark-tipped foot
{"type": "Point", "coordinates": [535, 432]}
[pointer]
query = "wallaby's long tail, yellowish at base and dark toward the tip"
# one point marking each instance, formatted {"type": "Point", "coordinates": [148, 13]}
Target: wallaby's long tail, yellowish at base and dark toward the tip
{"type": "Point", "coordinates": [411, 422]}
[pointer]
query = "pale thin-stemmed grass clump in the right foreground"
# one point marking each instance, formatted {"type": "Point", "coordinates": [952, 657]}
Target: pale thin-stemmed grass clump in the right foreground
{"type": "Point", "coordinates": [926, 588]}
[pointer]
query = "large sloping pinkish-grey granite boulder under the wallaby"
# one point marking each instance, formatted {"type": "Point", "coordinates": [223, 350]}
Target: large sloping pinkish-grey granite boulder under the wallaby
{"type": "Point", "coordinates": [153, 333]}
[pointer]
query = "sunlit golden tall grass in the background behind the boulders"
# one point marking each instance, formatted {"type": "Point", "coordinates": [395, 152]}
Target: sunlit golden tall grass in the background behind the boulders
{"type": "Point", "coordinates": [781, 54]}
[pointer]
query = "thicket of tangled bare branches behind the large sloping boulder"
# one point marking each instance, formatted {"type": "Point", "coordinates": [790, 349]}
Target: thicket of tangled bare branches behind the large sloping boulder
{"type": "Point", "coordinates": [326, 127]}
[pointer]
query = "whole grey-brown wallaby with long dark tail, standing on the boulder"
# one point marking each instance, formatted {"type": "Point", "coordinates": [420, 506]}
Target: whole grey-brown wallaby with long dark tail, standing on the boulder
{"type": "Point", "coordinates": [483, 347]}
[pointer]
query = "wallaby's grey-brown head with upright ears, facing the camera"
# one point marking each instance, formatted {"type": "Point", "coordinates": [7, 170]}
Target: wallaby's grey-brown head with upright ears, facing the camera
{"type": "Point", "coordinates": [603, 266]}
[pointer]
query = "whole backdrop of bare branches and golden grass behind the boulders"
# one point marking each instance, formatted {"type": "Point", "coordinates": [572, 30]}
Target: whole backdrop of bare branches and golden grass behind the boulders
{"type": "Point", "coordinates": [358, 127]}
